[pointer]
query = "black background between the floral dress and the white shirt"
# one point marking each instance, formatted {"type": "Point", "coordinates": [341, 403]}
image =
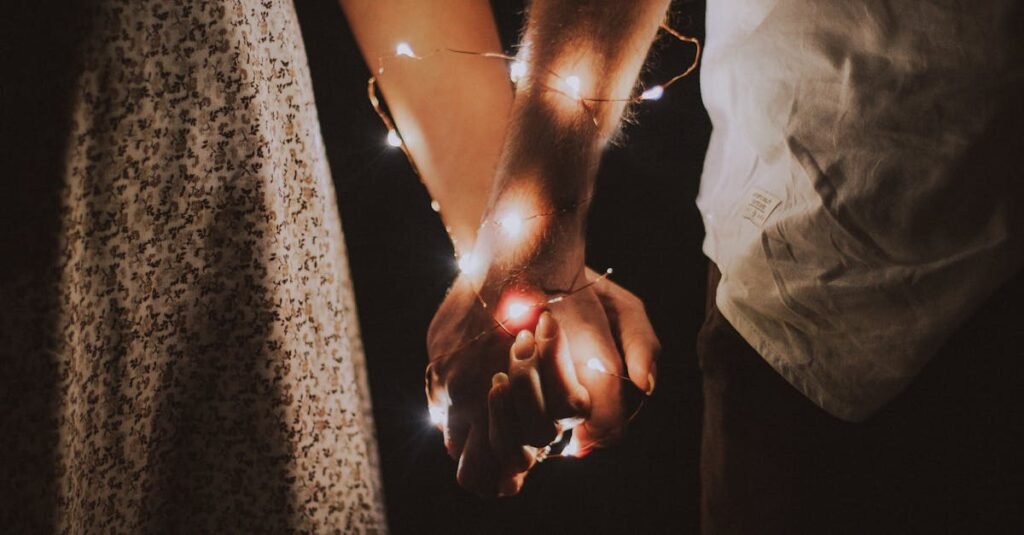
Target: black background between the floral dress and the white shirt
{"type": "Point", "coordinates": [644, 224]}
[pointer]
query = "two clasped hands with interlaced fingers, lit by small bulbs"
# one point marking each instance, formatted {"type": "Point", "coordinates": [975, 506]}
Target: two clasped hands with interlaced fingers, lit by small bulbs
{"type": "Point", "coordinates": [500, 398]}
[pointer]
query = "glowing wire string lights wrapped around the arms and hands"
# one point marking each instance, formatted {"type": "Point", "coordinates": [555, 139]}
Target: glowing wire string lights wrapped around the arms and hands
{"type": "Point", "coordinates": [513, 223]}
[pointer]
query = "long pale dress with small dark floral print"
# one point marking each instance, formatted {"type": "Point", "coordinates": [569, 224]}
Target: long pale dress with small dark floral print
{"type": "Point", "coordinates": [209, 372]}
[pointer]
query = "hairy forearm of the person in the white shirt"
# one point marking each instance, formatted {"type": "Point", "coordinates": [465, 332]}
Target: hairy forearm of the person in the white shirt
{"type": "Point", "coordinates": [558, 133]}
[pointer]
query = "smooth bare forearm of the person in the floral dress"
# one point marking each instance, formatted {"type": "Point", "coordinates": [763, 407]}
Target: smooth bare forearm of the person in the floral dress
{"type": "Point", "coordinates": [452, 110]}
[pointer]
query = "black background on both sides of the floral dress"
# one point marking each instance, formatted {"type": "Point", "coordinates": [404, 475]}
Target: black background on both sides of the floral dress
{"type": "Point", "coordinates": [644, 224]}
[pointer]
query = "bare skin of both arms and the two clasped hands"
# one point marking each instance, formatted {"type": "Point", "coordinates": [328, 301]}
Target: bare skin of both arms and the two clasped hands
{"type": "Point", "coordinates": [544, 148]}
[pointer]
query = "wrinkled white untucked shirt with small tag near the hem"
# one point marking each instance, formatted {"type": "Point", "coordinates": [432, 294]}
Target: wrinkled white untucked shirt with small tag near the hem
{"type": "Point", "coordinates": [863, 189]}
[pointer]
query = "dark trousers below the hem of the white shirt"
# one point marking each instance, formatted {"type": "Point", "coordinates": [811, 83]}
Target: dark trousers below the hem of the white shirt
{"type": "Point", "coordinates": [945, 458]}
